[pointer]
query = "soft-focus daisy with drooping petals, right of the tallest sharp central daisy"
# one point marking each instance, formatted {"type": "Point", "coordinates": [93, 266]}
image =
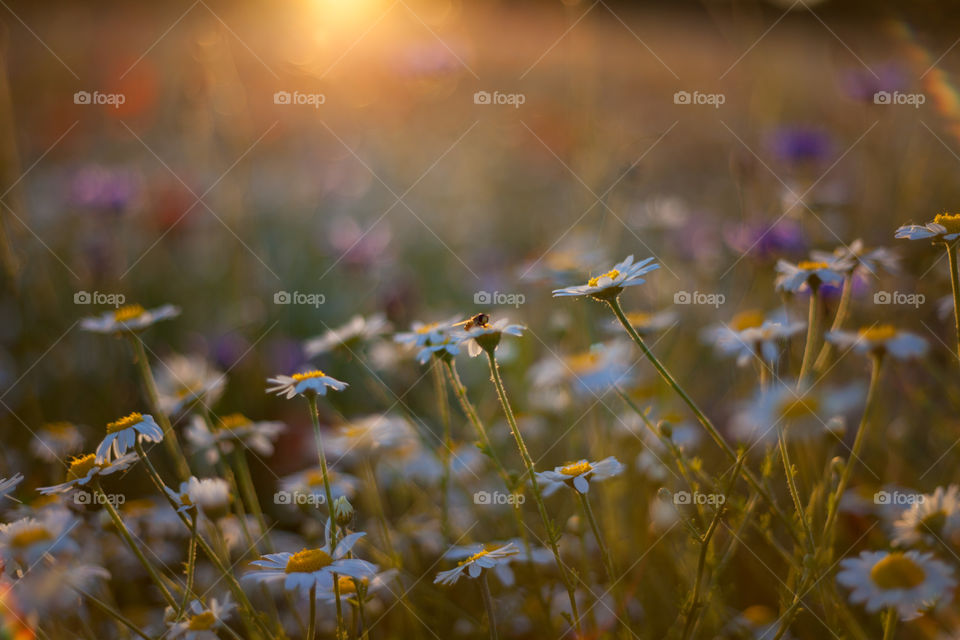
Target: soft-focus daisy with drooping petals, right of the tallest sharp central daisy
{"type": "Point", "coordinates": [750, 334]}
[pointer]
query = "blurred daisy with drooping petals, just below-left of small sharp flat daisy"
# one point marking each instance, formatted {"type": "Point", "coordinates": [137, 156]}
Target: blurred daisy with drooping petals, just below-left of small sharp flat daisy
{"type": "Point", "coordinates": [230, 430]}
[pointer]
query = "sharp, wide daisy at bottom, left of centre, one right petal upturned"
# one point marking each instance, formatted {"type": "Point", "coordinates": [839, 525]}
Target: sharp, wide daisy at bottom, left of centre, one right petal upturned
{"type": "Point", "coordinates": [312, 568]}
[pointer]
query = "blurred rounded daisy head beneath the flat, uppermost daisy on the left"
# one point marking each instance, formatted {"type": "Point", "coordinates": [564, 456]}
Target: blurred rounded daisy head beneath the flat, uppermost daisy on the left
{"type": "Point", "coordinates": [183, 380]}
